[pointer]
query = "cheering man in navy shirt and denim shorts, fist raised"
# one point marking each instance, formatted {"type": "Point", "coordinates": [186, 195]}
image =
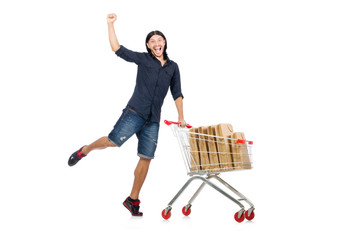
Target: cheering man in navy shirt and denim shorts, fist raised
{"type": "Point", "coordinates": [156, 74]}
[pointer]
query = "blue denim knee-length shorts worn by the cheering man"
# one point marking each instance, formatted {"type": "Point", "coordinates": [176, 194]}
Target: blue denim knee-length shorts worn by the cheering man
{"type": "Point", "coordinates": [131, 123]}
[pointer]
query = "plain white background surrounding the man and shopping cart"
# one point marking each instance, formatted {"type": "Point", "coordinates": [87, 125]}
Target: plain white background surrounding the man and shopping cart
{"type": "Point", "coordinates": [284, 72]}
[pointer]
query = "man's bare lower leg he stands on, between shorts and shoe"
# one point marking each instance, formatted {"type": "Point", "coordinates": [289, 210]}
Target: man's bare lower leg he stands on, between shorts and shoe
{"type": "Point", "coordinates": [140, 174]}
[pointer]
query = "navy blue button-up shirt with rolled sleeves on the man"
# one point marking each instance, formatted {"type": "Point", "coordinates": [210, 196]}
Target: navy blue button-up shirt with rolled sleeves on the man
{"type": "Point", "coordinates": [152, 83]}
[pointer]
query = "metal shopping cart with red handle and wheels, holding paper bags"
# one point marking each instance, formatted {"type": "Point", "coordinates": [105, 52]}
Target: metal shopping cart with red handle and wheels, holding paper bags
{"type": "Point", "coordinates": [205, 157]}
